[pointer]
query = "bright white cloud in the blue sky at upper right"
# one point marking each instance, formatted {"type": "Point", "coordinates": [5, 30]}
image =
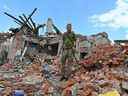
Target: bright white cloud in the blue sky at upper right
{"type": "Point", "coordinates": [115, 18]}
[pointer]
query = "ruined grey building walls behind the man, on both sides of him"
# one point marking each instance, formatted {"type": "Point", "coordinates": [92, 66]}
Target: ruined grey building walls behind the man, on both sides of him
{"type": "Point", "coordinates": [26, 41]}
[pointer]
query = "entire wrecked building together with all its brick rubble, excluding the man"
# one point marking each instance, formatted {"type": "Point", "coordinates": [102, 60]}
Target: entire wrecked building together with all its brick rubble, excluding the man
{"type": "Point", "coordinates": [101, 68]}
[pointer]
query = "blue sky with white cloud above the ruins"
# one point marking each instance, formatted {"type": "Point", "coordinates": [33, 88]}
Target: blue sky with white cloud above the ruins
{"type": "Point", "coordinates": [87, 16]}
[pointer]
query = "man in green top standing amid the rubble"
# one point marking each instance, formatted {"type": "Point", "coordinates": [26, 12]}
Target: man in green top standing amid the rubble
{"type": "Point", "coordinates": [69, 40]}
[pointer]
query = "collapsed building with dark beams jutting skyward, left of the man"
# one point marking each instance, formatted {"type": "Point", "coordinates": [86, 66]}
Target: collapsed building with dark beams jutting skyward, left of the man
{"type": "Point", "coordinates": [26, 40]}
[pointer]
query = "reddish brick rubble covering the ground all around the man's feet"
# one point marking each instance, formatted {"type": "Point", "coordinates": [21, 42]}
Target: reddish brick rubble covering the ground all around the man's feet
{"type": "Point", "coordinates": [41, 79]}
